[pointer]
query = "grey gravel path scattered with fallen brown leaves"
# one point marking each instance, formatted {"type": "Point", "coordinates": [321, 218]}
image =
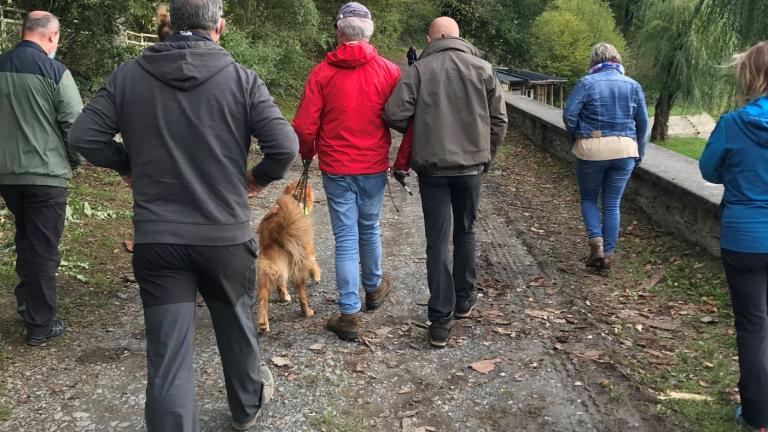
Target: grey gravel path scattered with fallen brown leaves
{"type": "Point", "coordinates": [547, 351]}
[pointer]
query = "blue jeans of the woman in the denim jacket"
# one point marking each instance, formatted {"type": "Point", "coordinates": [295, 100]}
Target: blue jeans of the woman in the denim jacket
{"type": "Point", "coordinates": [606, 179]}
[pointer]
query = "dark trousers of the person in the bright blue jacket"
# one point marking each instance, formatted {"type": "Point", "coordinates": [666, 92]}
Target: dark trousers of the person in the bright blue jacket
{"type": "Point", "coordinates": [747, 275]}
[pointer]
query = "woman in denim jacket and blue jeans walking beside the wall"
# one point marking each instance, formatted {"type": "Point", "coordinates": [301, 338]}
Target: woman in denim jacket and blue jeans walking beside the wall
{"type": "Point", "coordinates": [607, 119]}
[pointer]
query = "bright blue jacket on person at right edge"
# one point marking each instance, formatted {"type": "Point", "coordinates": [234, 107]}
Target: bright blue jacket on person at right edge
{"type": "Point", "coordinates": [737, 157]}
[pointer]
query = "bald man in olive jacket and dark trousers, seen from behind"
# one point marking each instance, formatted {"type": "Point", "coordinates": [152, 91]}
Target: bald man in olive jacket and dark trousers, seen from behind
{"type": "Point", "coordinates": [459, 120]}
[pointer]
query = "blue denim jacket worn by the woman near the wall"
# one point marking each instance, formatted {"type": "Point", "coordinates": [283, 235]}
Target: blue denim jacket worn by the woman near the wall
{"type": "Point", "coordinates": [607, 103]}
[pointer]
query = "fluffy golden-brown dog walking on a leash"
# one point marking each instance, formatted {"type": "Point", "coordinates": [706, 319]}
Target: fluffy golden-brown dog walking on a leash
{"type": "Point", "coordinates": [287, 253]}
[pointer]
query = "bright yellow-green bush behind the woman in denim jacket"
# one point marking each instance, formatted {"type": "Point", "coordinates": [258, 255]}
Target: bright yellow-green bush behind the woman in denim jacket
{"type": "Point", "coordinates": [565, 33]}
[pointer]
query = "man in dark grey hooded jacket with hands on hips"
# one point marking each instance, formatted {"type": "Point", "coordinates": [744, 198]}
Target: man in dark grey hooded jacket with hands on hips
{"type": "Point", "coordinates": [187, 112]}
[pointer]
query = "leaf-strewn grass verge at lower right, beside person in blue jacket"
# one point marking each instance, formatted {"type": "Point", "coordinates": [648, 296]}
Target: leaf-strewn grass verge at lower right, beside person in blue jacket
{"type": "Point", "coordinates": [703, 355]}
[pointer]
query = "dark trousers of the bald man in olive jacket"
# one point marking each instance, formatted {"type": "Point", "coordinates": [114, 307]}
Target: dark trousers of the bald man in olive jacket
{"type": "Point", "coordinates": [443, 198]}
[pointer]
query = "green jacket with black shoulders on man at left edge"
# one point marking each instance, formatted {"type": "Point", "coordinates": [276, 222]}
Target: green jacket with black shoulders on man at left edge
{"type": "Point", "coordinates": [39, 102]}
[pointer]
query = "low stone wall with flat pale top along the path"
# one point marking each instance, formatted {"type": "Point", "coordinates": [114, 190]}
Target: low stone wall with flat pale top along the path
{"type": "Point", "coordinates": [667, 186]}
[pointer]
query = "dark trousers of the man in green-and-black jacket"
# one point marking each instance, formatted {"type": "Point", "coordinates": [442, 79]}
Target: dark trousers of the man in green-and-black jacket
{"type": "Point", "coordinates": [39, 213]}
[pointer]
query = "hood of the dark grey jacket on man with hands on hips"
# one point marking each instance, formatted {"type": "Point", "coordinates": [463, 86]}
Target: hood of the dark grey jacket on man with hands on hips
{"type": "Point", "coordinates": [184, 62]}
